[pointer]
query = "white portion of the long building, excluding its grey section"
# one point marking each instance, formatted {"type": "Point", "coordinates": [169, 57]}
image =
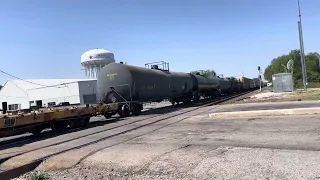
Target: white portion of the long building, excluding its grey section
{"type": "Point", "coordinates": [55, 91]}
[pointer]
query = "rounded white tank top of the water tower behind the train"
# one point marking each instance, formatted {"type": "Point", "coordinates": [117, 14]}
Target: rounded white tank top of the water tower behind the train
{"type": "Point", "coordinates": [97, 56]}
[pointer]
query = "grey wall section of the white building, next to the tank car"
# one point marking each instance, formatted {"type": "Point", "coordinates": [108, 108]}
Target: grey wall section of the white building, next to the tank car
{"type": "Point", "coordinates": [88, 89]}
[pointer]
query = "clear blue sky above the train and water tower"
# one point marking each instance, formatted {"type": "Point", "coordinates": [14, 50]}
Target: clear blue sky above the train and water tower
{"type": "Point", "coordinates": [45, 38]}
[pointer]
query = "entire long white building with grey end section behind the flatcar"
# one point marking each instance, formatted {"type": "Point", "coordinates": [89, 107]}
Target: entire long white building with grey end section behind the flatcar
{"type": "Point", "coordinates": [21, 94]}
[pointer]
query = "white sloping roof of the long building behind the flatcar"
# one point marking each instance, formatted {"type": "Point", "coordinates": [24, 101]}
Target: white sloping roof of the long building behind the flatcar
{"type": "Point", "coordinates": [28, 84]}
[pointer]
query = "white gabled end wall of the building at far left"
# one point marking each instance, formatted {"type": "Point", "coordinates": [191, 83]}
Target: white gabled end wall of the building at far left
{"type": "Point", "coordinates": [13, 94]}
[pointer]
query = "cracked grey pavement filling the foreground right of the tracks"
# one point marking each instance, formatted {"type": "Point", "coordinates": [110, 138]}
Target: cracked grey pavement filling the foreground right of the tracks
{"type": "Point", "coordinates": [204, 148]}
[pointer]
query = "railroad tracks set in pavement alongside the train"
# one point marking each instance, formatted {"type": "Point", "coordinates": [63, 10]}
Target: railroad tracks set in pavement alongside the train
{"type": "Point", "coordinates": [21, 169]}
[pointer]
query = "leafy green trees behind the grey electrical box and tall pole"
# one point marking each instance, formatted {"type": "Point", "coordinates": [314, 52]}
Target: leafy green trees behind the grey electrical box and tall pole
{"type": "Point", "coordinates": [279, 65]}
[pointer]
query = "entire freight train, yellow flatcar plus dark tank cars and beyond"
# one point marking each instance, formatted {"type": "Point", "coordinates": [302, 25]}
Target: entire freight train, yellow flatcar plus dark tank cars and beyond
{"type": "Point", "coordinates": [122, 89]}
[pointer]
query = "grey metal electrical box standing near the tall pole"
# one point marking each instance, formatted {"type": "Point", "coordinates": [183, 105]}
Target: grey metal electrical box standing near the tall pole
{"type": "Point", "coordinates": [282, 82]}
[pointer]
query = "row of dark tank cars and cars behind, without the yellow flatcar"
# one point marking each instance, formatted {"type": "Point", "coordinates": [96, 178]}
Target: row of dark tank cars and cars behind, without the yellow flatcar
{"type": "Point", "coordinates": [130, 86]}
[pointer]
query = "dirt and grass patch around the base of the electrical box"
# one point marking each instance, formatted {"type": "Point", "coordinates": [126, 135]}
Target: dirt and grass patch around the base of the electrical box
{"type": "Point", "coordinates": [267, 95]}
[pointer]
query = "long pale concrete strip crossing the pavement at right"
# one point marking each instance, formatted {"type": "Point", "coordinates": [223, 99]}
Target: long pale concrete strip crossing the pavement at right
{"type": "Point", "coordinates": [277, 112]}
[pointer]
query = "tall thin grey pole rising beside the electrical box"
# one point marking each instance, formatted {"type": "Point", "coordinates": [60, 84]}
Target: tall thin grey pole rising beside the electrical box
{"type": "Point", "coordinates": [303, 62]}
